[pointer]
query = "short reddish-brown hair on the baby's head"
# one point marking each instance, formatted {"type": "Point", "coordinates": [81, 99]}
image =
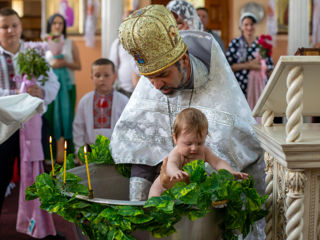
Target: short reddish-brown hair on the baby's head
{"type": "Point", "coordinates": [191, 120]}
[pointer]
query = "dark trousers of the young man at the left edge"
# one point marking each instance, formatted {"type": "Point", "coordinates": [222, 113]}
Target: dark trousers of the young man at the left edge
{"type": "Point", "coordinates": [9, 150]}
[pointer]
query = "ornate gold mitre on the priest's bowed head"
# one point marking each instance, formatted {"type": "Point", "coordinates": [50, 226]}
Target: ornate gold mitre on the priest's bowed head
{"type": "Point", "coordinates": [152, 37]}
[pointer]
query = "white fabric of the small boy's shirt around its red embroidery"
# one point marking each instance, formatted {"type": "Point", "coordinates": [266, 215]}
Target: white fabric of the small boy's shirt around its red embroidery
{"type": "Point", "coordinates": [83, 130]}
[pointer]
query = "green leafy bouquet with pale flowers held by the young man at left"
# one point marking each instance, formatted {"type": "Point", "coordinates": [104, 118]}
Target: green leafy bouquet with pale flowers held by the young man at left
{"type": "Point", "coordinates": [31, 66]}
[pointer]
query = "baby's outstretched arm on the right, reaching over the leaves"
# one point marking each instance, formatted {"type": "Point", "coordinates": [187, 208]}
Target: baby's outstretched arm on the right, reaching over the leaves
{"type": "Point", "coordinates": [217, 163]}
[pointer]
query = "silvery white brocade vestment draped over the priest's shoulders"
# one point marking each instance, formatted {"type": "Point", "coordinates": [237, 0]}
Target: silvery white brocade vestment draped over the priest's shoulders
{"type": "Point", "coordinates": [143, 134]}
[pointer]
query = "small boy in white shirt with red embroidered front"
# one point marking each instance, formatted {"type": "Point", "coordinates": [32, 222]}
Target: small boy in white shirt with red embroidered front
{"type": "Point", "coordinates": [99, 110]}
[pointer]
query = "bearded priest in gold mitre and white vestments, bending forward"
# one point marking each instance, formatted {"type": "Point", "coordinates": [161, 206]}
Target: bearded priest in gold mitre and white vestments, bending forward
{"type": "Point", "coordinates": [179, 70]}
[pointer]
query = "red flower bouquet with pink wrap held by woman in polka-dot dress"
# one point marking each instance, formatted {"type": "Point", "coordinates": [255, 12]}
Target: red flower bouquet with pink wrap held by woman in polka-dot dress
{"type": "Point", "coordinates": [257, 78]}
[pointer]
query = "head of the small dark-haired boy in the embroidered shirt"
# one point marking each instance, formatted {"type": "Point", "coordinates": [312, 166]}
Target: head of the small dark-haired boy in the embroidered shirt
{"type": "Point", "coordinates": [103, 75]}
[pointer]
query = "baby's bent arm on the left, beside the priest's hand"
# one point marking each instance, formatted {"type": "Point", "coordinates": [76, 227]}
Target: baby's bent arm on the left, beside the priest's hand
{"type": "Point", "coordinates": [173, 166]}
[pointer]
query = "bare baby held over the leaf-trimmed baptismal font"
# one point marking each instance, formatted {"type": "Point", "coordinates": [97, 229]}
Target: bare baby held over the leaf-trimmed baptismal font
{"type": "Point", "coordinates": [189, 135]}
